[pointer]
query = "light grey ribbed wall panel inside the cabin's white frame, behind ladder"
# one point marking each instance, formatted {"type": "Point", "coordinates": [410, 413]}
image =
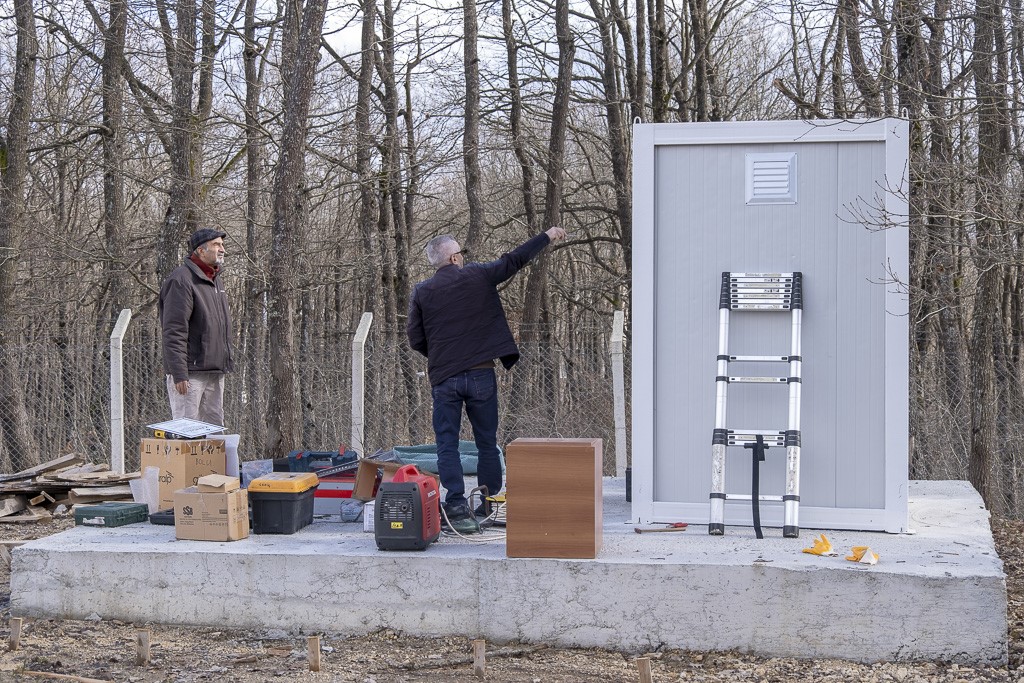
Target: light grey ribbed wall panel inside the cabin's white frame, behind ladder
{"type": "Point", "coordinates": [703, 228]}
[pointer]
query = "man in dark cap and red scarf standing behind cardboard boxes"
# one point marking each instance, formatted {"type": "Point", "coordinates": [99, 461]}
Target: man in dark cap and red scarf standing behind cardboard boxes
{"type": "Point", "coordinates": [197, 331]}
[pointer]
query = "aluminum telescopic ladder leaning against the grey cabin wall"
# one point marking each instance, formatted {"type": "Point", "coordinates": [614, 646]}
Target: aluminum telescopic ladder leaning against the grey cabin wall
{"type": "Point", "coordinates": [758, 292]}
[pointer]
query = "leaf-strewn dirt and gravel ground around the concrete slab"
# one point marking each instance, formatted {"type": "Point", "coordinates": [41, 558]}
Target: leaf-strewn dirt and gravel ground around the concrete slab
{"type": "Point", "coordinates": [99, 651]}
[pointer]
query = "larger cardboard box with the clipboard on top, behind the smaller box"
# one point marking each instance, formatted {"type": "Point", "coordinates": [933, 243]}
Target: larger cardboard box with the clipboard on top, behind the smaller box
{"type": "Point", "coordinates": [182, 463]}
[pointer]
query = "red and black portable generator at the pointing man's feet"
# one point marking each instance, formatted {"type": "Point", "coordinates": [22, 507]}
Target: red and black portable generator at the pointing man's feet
{"type": "Point", "coordinates": [407, 514]}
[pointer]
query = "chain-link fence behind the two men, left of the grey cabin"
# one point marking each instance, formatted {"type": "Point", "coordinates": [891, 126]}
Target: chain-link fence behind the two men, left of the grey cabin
{"type": "Point", "coordinates": [60, 397]}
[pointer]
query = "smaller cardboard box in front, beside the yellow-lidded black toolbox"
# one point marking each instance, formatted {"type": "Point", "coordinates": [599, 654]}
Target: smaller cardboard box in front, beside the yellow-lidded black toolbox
{"type": "Point", "coordinates": [216, 509]}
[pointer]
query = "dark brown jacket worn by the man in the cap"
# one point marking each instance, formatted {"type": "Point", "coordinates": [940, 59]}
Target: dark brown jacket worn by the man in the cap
{"type": "Point", "coordinates": [196, 323]}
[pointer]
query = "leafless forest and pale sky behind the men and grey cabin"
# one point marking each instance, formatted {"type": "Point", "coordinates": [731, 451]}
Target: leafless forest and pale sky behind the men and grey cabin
{"type": "Point", "coordinates": [332, 143]}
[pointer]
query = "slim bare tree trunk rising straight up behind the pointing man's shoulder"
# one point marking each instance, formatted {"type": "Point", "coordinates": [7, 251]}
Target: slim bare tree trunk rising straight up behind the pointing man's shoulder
{"type": "Point", "coordinates": [472, 132]}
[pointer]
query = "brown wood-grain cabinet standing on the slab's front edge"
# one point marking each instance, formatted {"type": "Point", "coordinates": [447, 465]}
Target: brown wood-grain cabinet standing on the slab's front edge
{"type": "Point", "coordinates": [554, 498]}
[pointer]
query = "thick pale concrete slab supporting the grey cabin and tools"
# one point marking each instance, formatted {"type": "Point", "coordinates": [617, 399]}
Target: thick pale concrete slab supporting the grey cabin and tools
{"type": "Point", "coordinates": [936, 594]}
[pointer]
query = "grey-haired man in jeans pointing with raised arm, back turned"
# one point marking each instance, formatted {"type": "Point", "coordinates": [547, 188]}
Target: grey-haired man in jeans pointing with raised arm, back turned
{"type": "Point", "coordinates": [457, 321]}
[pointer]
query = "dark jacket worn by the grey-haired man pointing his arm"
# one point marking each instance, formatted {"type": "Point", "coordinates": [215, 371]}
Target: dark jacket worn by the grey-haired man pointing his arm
{"type": "Point", "coordinates": [456, 318]}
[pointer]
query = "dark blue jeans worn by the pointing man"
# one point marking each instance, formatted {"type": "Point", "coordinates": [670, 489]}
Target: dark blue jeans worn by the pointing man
{"type": "Point", "coordinates": [478, 391]}
